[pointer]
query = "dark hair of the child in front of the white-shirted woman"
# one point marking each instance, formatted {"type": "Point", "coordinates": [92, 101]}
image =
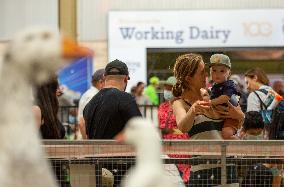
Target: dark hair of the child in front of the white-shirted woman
{"type": "Point", "coordinates": [253, 120]}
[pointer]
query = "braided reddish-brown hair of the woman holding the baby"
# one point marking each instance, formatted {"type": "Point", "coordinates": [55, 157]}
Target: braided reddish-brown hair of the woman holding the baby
{"type": "Point", "coordinates": [186, 65]}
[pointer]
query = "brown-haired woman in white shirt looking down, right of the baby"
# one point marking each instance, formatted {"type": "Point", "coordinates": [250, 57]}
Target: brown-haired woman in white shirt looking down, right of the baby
{"type": "Point", "coordinates": [256, 80]}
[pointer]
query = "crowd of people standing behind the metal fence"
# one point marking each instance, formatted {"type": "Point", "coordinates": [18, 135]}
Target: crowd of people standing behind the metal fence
{"type": "Point", "coordinates": [190, 110]}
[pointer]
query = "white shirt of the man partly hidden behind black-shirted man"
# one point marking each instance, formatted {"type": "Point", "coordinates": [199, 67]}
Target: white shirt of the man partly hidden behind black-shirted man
{"type": "Point", "coordinates": [84, 100]}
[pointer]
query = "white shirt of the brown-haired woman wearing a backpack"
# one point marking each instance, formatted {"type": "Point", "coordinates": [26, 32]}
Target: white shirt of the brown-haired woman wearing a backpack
{"type": "Point", "coordinates": [253, 103]}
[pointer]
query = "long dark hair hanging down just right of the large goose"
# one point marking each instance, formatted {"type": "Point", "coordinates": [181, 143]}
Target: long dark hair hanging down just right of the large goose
{"type": "Point", "coordinates": [47, 100]}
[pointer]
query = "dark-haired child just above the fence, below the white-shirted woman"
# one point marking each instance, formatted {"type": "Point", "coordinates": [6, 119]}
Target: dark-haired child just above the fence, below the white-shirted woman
{"type": "Point", "coordinates": [253, 126]}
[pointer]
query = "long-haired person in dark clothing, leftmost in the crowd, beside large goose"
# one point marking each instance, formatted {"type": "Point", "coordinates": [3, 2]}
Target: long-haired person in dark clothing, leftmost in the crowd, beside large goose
{"type": "Point", "coordinates": [46, 110]}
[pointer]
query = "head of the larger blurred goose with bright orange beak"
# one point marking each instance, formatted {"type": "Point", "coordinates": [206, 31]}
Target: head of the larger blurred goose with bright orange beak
{"type": "Point", "coordinates": [39, 52]}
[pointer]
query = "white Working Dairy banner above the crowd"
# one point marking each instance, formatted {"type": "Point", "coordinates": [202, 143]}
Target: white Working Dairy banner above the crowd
{"type": "Point", "coordinates": [130, 33]}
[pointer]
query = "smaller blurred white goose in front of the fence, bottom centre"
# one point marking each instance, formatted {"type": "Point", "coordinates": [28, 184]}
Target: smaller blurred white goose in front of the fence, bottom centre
{"type": "Point", "coordinates": [148, 171]}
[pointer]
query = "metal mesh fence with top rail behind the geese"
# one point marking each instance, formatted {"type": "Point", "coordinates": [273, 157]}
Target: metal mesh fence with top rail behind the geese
{"type": "Point", "coordinates": [208, 163]}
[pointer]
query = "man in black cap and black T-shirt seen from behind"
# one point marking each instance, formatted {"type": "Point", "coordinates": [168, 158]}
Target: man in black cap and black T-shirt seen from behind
{"type": "Point", "coordinates": [107, 112]}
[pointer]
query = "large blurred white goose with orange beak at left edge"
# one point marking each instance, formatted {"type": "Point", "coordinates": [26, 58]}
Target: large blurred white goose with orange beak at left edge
{"type": "Point", "coordinates": [31, 57]}
